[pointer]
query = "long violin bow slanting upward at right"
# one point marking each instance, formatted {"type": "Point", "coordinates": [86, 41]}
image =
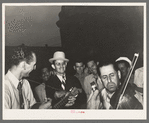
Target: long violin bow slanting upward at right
{"type": "Point", "coordinates": [134, 60]}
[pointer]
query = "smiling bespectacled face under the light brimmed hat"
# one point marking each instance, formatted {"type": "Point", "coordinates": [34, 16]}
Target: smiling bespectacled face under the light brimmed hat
{"type": "Point", "coordinates": [60, 66]}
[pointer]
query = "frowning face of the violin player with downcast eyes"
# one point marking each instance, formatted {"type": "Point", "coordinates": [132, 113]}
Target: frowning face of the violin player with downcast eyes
{"type": "Point", "coordinates": [109, 77]}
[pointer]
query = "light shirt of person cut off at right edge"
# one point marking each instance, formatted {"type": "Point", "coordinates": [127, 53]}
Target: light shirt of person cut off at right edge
{"type": "Point", "coordinates": [139, 81]}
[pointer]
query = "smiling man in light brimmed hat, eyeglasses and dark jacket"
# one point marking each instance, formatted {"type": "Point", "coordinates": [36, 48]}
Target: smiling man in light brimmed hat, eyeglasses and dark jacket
{"type": "Point", "coordinates": [62, 83]}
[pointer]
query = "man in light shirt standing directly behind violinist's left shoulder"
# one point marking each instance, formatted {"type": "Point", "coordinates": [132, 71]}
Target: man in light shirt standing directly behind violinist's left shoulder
{"type": "Point", "coordinates": [93, 77]}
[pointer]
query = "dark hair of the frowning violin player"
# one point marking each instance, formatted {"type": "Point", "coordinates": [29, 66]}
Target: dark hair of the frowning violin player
{"type": "Point", "coordinates": [105, 63]}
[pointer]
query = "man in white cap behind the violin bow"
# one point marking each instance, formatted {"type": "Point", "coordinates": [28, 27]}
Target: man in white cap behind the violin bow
{"type": "Point", "coordinates": [124, 65]}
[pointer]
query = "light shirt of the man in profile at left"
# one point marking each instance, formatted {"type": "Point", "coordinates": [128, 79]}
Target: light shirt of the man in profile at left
{"type": "Point", "coordinates": [12, 93]}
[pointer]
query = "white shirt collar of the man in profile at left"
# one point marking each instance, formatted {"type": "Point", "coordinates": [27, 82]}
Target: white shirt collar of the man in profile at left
{"type": "Point", "coordinates": [13, 79]}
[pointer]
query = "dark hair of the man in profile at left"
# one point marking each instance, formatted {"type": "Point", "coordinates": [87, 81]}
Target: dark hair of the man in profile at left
{"type": "Point", "coordinates": [21, 54]}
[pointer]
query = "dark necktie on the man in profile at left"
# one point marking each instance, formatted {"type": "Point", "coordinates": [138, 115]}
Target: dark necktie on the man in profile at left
{"type": "Point", "coordinates": [20, 95]}
